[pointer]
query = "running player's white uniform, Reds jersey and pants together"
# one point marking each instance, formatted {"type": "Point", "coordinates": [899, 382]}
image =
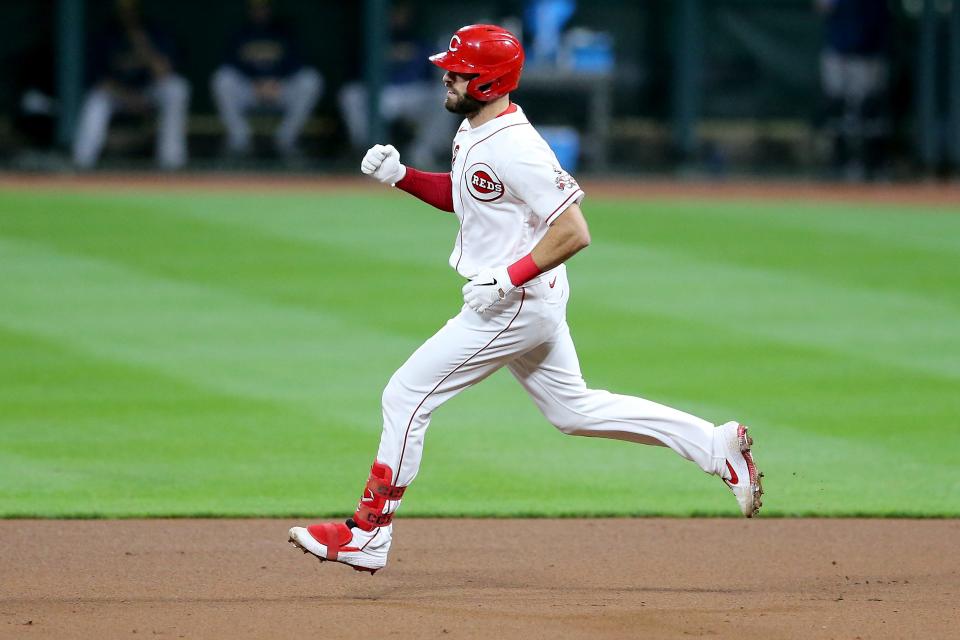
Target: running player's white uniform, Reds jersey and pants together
{"type": "Point", "coordinates": [507, 189]}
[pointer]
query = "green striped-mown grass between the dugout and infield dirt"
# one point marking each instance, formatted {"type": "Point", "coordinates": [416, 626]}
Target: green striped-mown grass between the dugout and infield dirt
{"type": "Point", "coordinates": [223, 354]}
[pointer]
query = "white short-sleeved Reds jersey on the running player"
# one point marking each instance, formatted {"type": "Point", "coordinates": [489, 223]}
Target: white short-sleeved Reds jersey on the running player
{"type": "Point", "coordinates": [507, 189]}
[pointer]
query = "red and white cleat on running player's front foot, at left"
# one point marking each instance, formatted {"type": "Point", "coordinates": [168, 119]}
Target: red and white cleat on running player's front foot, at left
{"type": "Point", "coordinates": [352, 546]}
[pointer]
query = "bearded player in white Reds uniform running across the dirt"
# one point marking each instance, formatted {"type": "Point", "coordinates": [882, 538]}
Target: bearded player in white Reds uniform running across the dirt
{"type": "Point", "coordinates": [520, 220]}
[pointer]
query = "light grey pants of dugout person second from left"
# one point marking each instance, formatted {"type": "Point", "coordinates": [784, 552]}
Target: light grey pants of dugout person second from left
{"type": "Point", "coordinates": [234, 95]}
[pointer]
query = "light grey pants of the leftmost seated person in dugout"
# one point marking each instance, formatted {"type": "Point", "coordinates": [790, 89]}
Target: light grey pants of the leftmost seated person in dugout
{"type": "Point", "coordinates": [170, 96]}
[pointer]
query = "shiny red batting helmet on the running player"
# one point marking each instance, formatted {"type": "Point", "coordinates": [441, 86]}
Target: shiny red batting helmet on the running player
{"type": "Point", "coordinates": [491, 52]}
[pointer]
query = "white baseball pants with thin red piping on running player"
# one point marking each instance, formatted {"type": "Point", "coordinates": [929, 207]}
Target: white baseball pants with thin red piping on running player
{"type": "Point", "coordinates": [527, 333]}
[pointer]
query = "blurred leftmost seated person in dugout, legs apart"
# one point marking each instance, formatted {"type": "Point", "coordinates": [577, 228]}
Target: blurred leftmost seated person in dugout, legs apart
{"type": "Point", "coordinates": [133, 73]}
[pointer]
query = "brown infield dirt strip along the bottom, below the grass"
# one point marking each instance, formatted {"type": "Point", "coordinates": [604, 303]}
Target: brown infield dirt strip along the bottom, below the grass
{"type": "Point", "coordinates": [603, 578]}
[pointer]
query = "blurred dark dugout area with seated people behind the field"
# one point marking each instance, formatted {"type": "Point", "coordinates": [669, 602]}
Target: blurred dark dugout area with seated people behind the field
{"type": "Point", "coordinates": [840, 89]}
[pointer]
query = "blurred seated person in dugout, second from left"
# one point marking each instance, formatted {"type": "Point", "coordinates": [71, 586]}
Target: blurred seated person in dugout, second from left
{"type": "Point", "coordinates": [264, 70]}
